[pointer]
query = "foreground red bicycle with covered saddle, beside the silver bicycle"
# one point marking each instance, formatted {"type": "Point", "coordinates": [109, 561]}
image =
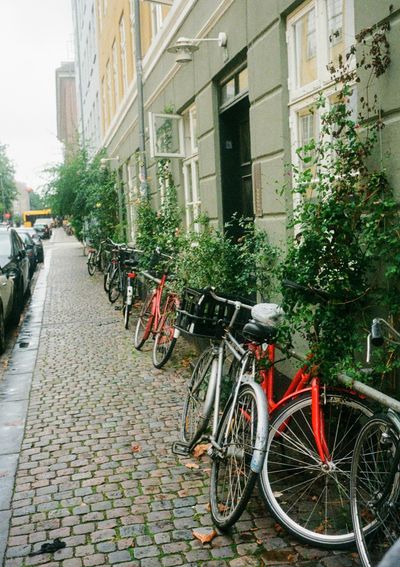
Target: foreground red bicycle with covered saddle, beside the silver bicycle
{"type": "Point", "coordinates": [305, 480]}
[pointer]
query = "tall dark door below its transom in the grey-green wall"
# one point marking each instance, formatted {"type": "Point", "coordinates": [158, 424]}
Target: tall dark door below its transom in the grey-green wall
{"type": "Point", "coordinates": [237, 192]}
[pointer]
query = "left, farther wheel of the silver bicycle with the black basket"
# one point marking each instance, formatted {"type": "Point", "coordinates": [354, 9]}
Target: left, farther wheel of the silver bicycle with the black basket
{"type": "Point", "coordinates": [198, 406]}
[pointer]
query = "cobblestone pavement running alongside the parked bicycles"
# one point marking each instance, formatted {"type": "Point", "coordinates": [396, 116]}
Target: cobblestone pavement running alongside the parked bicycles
{"type": "Point", "coordinates": [96, 468]}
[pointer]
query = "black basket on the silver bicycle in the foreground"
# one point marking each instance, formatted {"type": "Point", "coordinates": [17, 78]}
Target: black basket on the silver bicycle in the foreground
{"type": "Point", "coordinates": [201, 315]}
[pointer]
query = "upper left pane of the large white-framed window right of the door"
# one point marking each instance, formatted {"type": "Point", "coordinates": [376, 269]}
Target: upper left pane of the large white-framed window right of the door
{"type": "Point", "coordinates": [305, 49]}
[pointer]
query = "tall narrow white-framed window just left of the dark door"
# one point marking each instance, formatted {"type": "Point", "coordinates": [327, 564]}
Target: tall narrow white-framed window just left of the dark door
{"type": "Point", "coordinates": [191, 170]}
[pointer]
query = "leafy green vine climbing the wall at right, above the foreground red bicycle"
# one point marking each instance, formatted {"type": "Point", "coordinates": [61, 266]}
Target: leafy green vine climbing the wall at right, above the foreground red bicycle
{"type": "Point", "coordinates": [348, 241]}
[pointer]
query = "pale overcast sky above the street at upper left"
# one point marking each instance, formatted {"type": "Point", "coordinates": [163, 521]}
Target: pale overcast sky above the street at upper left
{"type": "Point", "coordinates": [35, 37]}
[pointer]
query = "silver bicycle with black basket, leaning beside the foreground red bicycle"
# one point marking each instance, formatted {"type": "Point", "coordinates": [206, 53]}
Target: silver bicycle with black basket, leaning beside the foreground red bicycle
{"type": "Point", "coordinates": [223, 378]}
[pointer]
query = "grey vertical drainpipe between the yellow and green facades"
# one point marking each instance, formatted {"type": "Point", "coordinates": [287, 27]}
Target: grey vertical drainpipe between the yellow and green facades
{"type": "Point", "coordinates": [144, 190]}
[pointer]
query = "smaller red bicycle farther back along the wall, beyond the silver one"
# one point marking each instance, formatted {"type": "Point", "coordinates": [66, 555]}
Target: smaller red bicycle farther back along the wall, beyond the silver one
{"type": "Point", "coordinates": [157, 318]}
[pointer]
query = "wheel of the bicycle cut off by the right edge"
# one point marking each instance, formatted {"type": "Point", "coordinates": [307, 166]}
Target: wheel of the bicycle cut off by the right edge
{"type": "Point", "coordinates": [375, 490]}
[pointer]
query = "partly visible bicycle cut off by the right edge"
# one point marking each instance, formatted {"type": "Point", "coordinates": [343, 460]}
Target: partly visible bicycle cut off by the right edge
{"type": "Point", "coordinates": [375, 469]}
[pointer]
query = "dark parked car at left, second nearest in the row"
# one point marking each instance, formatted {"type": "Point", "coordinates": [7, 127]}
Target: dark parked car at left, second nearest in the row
{"type": "Point", "coordinates": [14, 264]}
